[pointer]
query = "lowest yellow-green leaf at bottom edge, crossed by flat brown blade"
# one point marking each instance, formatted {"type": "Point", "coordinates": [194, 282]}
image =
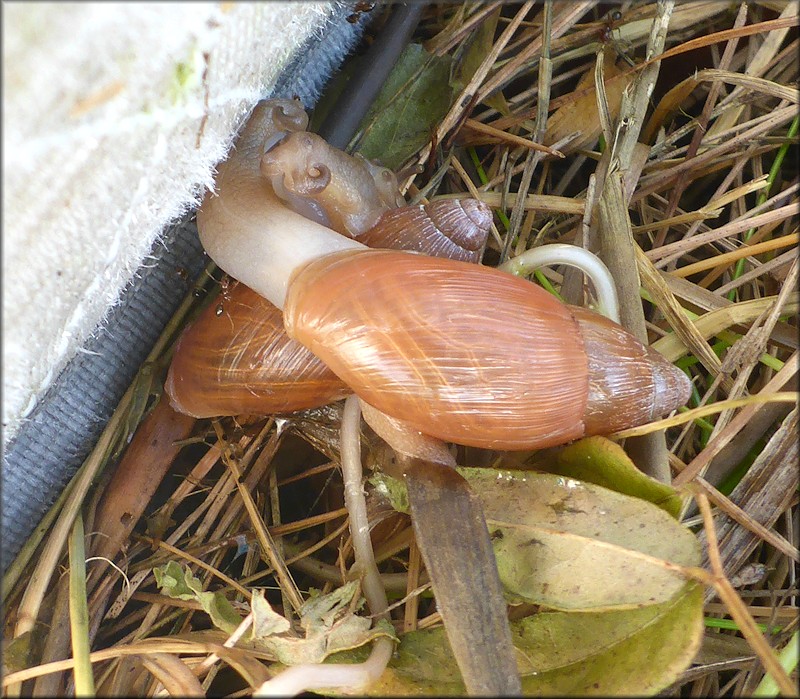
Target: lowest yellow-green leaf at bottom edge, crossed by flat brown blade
{"type": "Point", "coordinates": [627, 652]}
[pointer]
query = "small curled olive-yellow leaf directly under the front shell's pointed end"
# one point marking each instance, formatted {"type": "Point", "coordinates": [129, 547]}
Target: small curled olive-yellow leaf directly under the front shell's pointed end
{"type": "Point", "coordinates": [603, 462]}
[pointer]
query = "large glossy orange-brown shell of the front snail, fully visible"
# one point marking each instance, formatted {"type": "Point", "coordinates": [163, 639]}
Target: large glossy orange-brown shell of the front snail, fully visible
{"type": "Point", "coordinates": [473, 355]}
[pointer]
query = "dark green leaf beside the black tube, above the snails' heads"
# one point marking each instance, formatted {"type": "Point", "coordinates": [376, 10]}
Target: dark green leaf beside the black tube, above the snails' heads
{"type": "Point", "coordinates": [414, 99]}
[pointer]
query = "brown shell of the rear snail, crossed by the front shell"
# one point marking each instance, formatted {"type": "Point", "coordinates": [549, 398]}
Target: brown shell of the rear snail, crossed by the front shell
{"type": "Point", "coordinates": [242, 361]}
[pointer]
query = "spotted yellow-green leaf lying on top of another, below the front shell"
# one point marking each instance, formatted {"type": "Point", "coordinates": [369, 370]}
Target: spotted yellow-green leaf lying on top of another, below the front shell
{"type": "Point", "coordinates": [567, 544]}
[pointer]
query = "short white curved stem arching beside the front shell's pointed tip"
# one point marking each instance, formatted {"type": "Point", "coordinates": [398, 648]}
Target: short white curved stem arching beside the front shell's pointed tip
{"type": "Point", "coordinates": [561, 254]}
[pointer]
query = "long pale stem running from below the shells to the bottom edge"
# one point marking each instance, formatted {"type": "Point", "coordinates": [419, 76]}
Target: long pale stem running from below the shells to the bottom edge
{"type": "Point", "coordinates": [301, 678]}
